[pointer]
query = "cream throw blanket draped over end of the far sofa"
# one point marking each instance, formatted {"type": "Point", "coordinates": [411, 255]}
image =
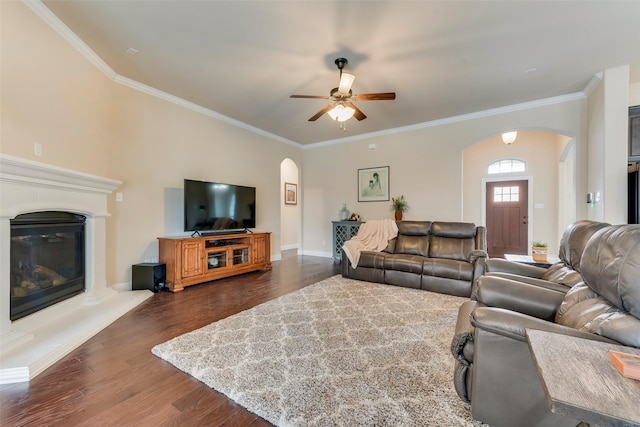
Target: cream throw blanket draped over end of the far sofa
{"type": "Point", "coordinates": [373, 235]}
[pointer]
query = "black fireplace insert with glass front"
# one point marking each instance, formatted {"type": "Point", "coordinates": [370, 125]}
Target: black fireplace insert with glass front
{"type": "Point", "coordinates": [47, 257]}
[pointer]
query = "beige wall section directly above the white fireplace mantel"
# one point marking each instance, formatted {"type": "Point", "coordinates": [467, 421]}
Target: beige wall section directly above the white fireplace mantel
{"type": "Point", "coordinates": [51, 95]}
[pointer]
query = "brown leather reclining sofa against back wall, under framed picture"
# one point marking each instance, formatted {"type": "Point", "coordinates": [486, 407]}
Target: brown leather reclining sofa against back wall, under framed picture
{"type": "Point", "coordinates": [437, 256]}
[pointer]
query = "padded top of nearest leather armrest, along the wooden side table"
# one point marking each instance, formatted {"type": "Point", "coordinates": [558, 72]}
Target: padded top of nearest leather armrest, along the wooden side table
{"type": "Point", "coordinates": [511, 324]}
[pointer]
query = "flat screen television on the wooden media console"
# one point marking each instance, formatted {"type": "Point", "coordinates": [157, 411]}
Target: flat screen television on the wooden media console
{"type": "Point", "coordinates": [215, 207]}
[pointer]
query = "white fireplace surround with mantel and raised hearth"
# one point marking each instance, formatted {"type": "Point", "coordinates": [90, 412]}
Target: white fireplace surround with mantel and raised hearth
{"type": "Point", "coordinates": [36, 341]}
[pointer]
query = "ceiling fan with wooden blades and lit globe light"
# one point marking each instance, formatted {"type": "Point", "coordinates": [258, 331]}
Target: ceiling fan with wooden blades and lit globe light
{"type": "Point", "coordinates": [342, 108]}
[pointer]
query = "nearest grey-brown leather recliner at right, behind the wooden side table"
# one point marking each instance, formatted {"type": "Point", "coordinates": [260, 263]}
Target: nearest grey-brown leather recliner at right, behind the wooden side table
{"type": "Point", "coordinates": [494, 368]}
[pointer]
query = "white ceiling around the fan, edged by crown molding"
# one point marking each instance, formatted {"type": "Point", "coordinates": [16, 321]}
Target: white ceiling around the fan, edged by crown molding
{"type": "Point", "coordinates": [243, 59]}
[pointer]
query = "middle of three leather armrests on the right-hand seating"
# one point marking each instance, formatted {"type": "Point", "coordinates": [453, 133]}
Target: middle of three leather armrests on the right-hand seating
{"type": "Point", "coordinates": [518, 296]}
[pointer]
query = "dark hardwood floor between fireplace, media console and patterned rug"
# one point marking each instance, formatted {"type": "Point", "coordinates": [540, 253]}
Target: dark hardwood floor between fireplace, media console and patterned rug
{"type": "Point", "coordinates": [114, 380]}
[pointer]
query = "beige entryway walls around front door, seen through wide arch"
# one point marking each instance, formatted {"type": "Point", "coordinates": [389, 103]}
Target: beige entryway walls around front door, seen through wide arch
{"type": "Point", "coordinates": [549, 174]}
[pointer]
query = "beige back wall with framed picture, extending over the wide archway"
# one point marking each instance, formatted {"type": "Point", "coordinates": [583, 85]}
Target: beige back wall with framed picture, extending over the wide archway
{"type": "Point", "coordinates": [426, 166]}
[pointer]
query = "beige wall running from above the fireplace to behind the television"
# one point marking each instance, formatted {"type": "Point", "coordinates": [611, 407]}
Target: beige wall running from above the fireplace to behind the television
{"type": "Point", "coordinates": [86, 122]}
